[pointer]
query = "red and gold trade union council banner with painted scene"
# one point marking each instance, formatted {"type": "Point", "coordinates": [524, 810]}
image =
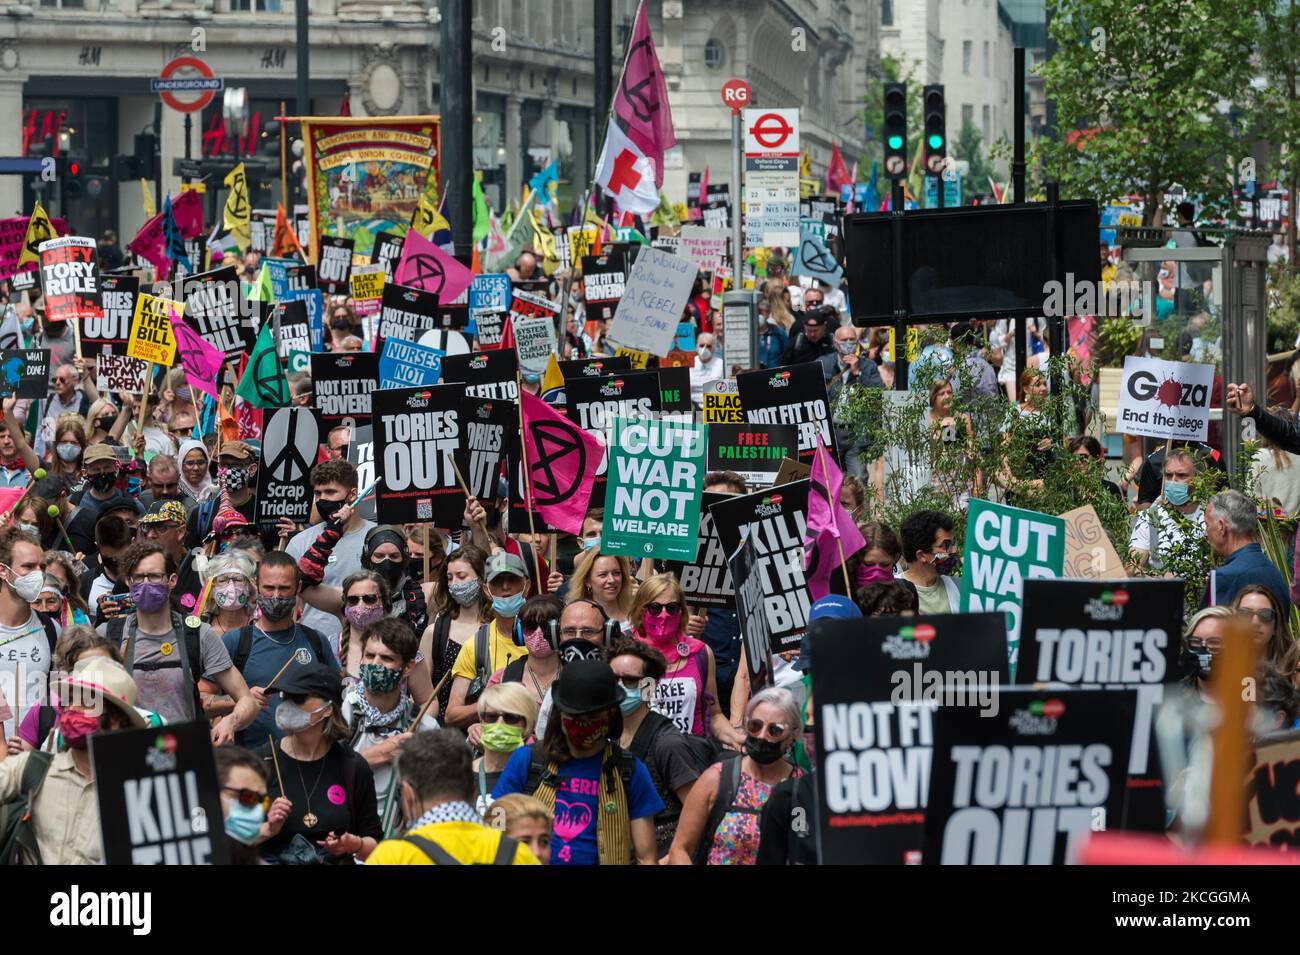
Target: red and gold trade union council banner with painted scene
{"type": "Point", "coordinates": [367, 175]}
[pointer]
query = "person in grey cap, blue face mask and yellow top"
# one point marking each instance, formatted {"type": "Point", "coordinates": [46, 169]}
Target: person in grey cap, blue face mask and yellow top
{"type": "Point", "coordinates": [493, 646]}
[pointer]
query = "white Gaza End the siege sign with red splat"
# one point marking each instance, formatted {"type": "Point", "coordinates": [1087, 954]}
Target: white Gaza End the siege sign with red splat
{"type": "Point", "coordinates": [1165, 400]}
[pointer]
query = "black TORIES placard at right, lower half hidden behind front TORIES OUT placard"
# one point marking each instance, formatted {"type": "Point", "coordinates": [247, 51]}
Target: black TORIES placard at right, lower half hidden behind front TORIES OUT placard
{"type": "Point", "coordinates": [1112, 635]}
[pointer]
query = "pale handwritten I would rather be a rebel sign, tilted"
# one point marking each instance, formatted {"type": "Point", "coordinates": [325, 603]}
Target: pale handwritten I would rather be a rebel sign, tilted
{"type": "Point", "coordinates": [656, 296]}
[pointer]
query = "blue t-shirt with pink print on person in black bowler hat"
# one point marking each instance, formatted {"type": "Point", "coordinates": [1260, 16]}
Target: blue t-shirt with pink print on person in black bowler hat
{"type": "Point", "coordinates": [578, 802]}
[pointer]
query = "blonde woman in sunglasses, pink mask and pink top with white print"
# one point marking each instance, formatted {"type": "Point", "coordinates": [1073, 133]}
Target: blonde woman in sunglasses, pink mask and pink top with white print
{"type": "Point", "coordinates": [688, 693]}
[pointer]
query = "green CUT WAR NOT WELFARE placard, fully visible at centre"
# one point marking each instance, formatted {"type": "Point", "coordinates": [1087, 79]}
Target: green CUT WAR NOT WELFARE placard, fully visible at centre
{"type": "Point", "coordinates": [652, 500]}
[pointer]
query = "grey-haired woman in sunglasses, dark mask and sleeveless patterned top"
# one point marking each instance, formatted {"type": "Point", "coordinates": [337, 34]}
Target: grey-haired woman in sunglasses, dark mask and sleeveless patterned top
{"type": "Point", "coordinates": [721, 821]}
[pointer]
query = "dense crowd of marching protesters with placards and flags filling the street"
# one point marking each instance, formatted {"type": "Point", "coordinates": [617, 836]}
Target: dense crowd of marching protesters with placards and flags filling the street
{"type": "Point", "coordinates": [781, 523]}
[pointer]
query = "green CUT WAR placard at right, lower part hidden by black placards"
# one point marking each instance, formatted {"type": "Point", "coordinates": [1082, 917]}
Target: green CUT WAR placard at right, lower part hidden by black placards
{"type": "Point", "coordinates": [1004, 546]}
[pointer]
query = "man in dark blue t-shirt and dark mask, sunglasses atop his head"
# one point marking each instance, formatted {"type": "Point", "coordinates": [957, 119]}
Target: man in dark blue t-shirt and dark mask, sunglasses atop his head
{"type": "Point", "coordinates": [261, 649]}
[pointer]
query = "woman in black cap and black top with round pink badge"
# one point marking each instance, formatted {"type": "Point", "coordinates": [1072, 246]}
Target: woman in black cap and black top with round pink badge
{"type": "Point", "coordinates": [333, 817]}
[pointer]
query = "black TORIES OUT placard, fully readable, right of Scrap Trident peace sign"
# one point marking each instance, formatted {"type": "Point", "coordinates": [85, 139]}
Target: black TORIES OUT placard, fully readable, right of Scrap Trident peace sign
{"type": "Point", "coordinates": [417, 435]}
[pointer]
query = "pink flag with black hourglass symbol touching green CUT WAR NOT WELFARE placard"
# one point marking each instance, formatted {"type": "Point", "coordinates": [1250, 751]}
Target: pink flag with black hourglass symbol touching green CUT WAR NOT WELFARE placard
{"type": "Point", "coordinates": [562, 465]}
